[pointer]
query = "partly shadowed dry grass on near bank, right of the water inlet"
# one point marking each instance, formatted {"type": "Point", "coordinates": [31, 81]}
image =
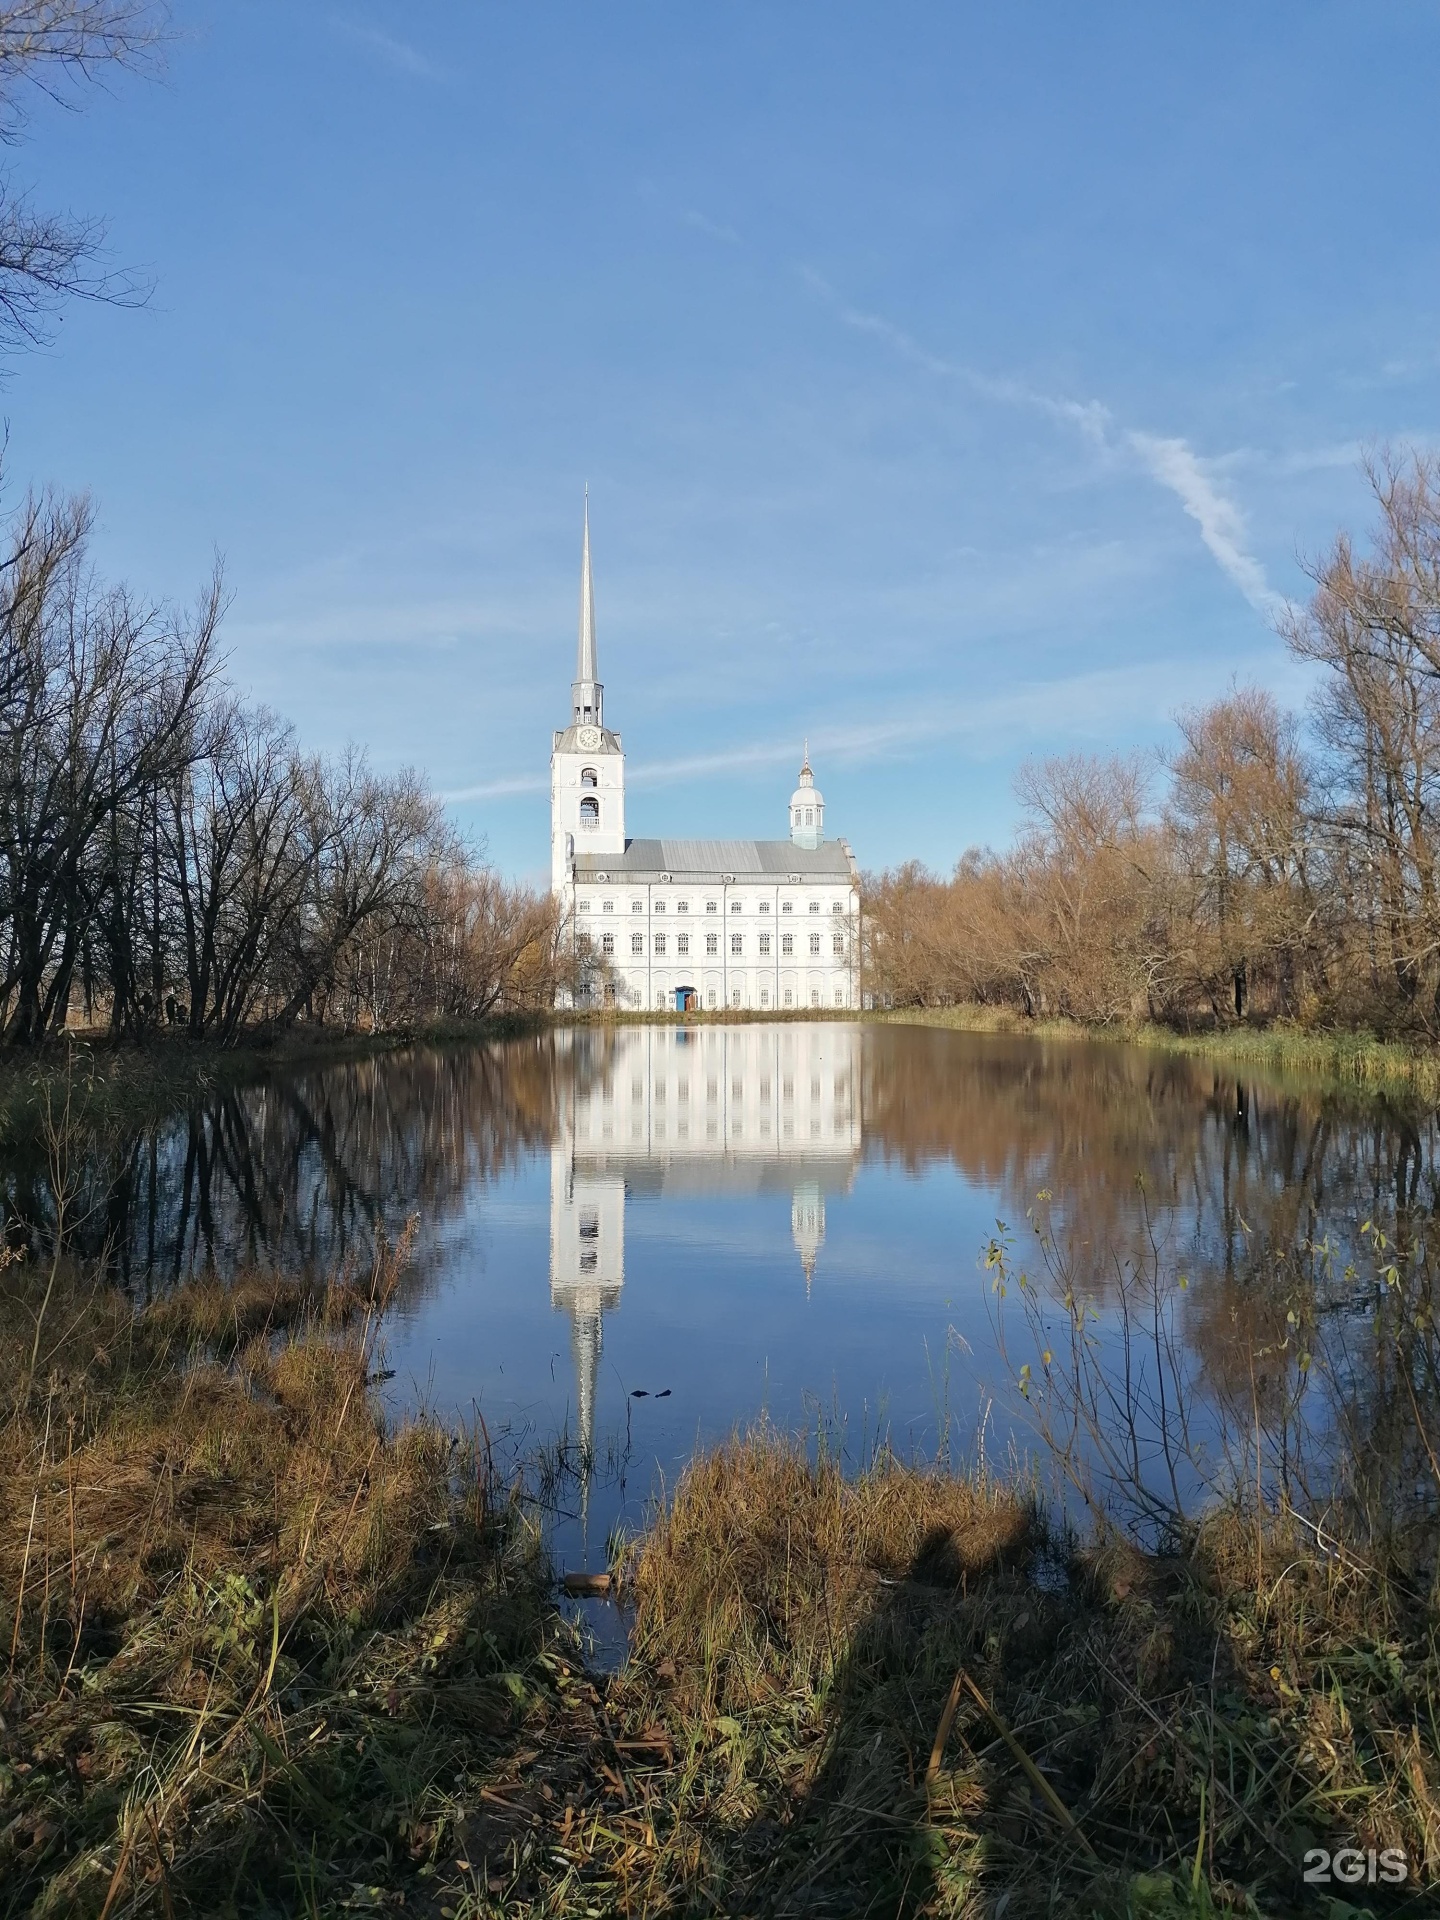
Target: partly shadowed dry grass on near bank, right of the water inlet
{"type": "Point", "coordinates": [800, 1639]}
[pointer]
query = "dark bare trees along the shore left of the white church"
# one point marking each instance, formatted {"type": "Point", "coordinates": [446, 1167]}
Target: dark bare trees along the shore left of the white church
{"type": "Point", "coordinates": [174, 857]}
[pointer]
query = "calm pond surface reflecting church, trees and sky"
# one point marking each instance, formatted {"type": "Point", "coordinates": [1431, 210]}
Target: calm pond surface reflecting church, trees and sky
{"type": "Point", "coordinates": [644, 1237]}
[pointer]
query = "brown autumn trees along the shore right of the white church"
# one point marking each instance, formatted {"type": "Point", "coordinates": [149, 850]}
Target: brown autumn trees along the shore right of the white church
{"type": "Point", "coordinates": [1268, 865]}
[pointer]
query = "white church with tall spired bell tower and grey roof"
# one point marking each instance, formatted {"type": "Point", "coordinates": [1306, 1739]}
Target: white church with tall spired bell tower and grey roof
{"type": "Point", "coordinates": [686, 924]}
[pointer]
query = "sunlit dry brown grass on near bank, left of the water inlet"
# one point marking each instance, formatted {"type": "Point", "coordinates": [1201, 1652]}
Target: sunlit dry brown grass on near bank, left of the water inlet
{"type": "Point", "coordinates": [256, 1643]}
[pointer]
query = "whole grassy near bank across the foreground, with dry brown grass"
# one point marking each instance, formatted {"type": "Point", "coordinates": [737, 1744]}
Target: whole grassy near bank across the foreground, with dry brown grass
{"type": "Point", "coordinates": [270, 1656]}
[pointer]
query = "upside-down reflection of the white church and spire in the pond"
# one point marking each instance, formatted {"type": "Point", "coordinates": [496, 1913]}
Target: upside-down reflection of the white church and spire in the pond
{"type": "Point", "coordinates": [690, 1113]}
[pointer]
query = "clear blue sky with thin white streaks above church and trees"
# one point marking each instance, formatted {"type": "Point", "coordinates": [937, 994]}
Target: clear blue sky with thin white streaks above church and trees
{"type": "Point", "coordinates": [953, 383]}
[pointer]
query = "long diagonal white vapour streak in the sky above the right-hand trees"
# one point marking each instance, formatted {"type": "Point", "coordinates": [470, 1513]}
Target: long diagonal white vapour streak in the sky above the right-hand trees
{"type": "Point", "coordinates": [1168, 460]}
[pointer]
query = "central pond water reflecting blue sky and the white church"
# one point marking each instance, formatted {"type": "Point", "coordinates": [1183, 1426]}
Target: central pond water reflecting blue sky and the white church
{"type": "Point", "coordinates": [708, 1230]}
